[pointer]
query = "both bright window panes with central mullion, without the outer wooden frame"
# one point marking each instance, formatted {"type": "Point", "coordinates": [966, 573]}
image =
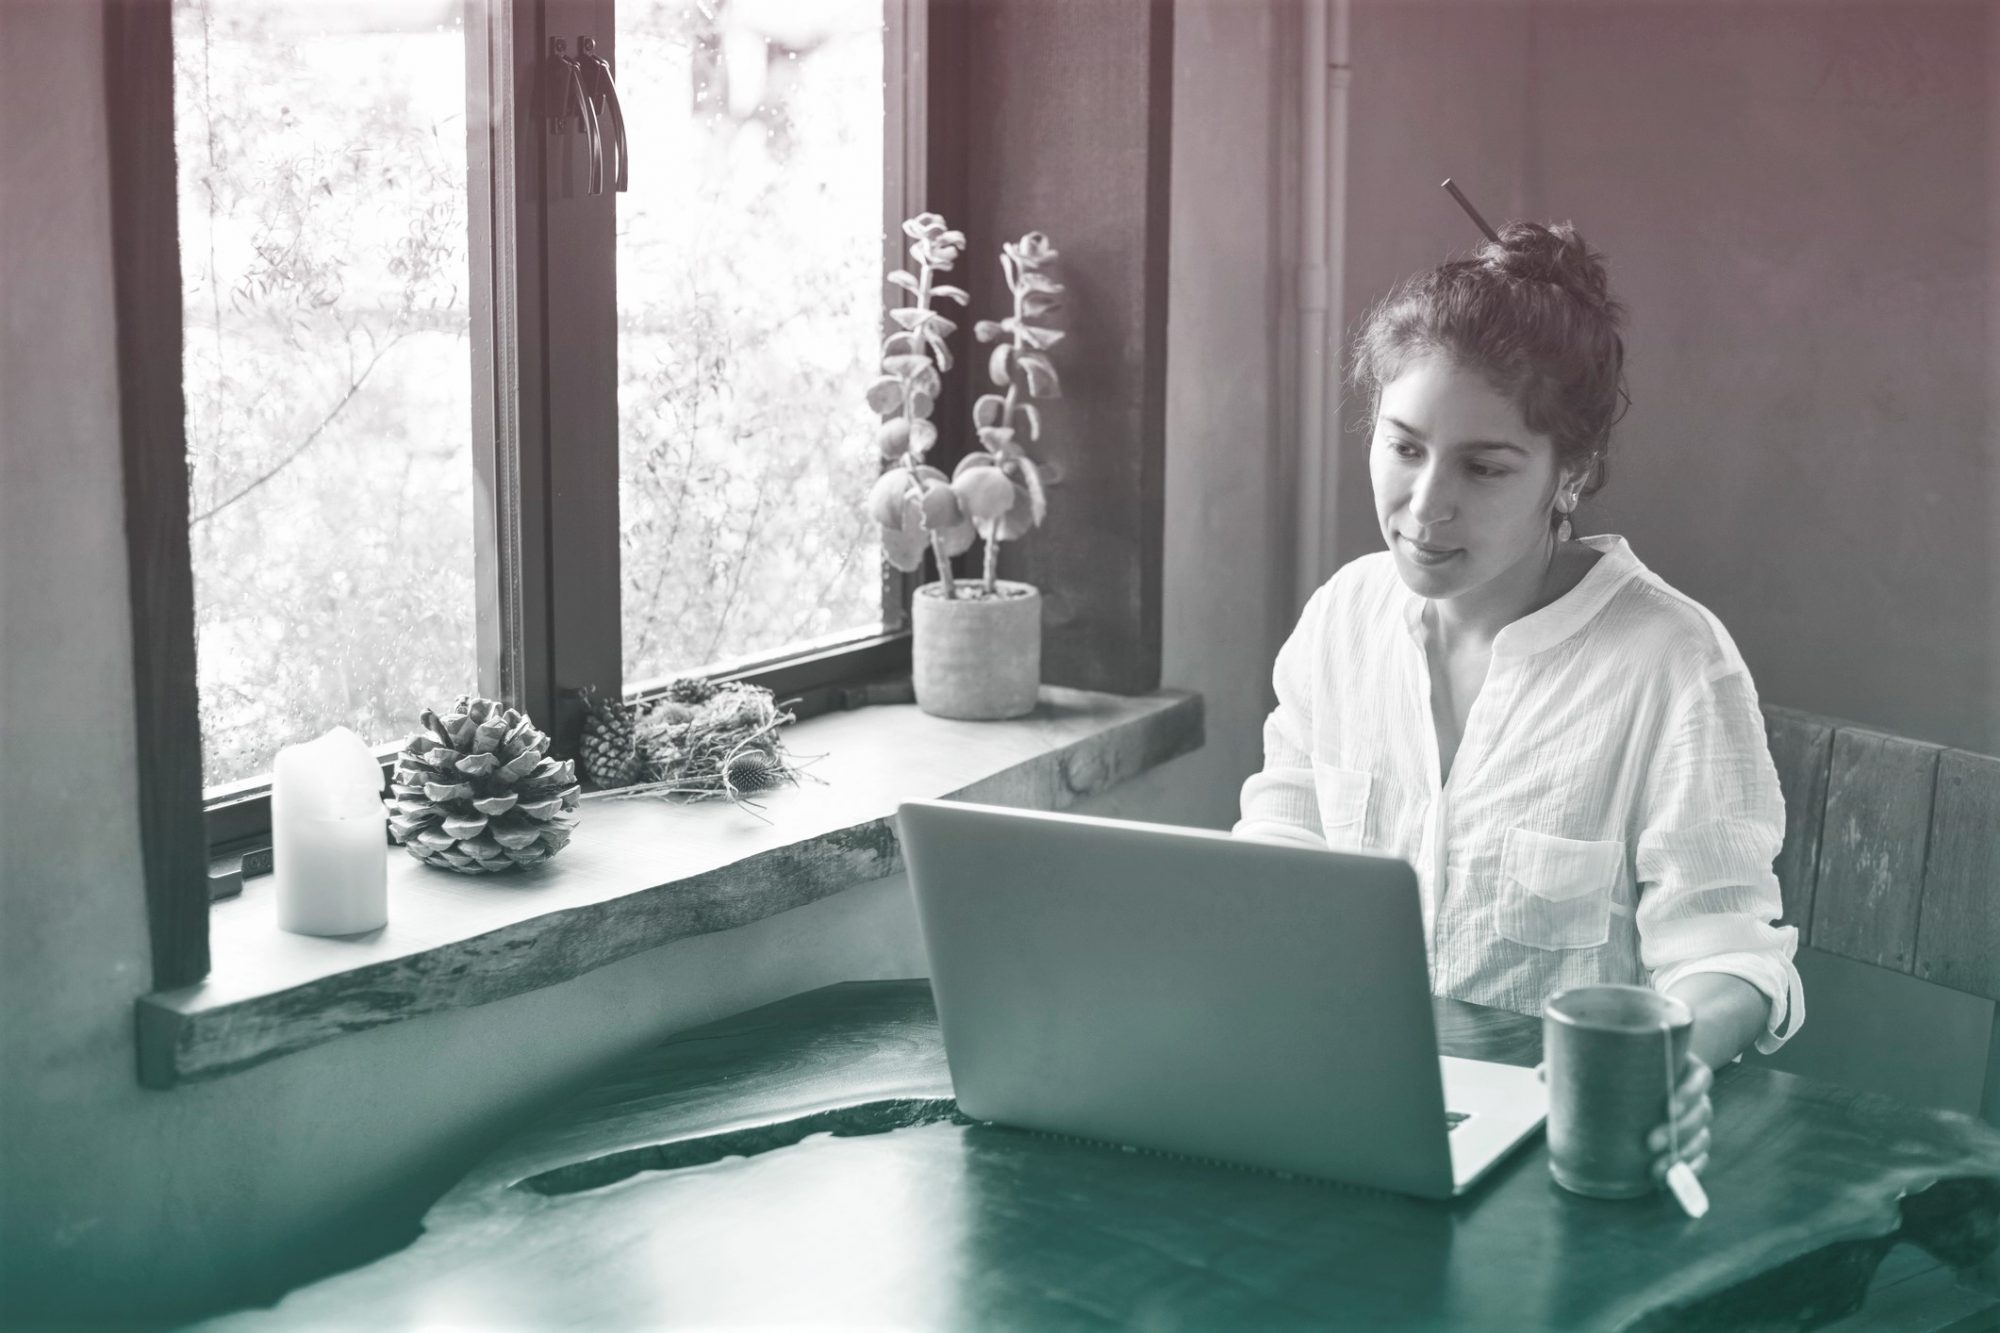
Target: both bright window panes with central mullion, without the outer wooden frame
{"type": "Point", "coordinates": [329, 291]}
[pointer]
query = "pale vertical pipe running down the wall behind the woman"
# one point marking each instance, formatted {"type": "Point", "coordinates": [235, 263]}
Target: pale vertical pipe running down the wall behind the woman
{"type": "Point", "coordinates": [1323, 247]}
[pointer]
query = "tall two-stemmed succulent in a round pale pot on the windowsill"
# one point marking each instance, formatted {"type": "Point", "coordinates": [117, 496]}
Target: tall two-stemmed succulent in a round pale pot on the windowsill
{"type": "Point", "coordinates": [977, 643]}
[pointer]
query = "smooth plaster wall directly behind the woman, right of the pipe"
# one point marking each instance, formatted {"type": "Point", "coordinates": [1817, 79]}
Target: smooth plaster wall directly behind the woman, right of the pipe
{"type": "Point", "coordinates": [1801, 205]}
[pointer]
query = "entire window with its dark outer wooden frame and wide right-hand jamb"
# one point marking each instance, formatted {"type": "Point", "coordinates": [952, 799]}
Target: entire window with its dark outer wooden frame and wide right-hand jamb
{"type": "Point", "coordinates": [985, 117]}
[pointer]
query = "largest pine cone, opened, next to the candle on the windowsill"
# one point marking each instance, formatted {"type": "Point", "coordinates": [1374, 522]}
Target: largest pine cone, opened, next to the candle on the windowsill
{"type": "Point", "coordinates": [477, 794]}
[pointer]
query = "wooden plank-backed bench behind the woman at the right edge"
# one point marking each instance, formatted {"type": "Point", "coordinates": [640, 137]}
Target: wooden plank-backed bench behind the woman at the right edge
{"type": "Point", "coordinates": [1891, 872]}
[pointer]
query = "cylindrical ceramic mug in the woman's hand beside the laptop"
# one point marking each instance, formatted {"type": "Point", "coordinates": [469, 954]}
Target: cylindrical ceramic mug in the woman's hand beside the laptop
{"type": "Point", "coordinates": [1611, 1056]}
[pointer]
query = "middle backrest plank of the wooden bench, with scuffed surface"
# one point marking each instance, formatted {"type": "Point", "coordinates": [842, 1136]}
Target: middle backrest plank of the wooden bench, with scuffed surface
{"type": "Point", "coordinates": [1873, 846]}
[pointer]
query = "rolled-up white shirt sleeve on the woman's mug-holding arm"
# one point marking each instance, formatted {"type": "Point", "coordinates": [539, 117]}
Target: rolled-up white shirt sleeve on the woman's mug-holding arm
{"type": "Point", "coordinates": [1711, 828]}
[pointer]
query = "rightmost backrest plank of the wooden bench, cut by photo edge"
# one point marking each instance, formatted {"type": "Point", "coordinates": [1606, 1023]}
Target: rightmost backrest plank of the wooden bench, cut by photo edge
{"type": "Point", "coordinates": [1959, 932]}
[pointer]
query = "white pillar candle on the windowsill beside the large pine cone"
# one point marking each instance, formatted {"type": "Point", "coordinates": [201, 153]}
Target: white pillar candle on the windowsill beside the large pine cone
{"type": "Point", "coordinates": [329, 838]}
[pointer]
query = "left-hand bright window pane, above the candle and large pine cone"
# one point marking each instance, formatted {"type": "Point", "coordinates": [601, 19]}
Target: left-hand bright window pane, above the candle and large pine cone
{"type": "Point", "coordinates": [323, 245]}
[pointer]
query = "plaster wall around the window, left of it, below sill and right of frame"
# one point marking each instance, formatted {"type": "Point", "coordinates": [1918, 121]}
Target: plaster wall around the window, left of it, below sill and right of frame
{"type": "Point", "coordinates": [119, 1202]}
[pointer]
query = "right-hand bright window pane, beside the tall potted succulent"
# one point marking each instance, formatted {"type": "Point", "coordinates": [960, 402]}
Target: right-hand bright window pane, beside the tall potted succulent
{"type": "Point", "coordinates": [749, 309]}
